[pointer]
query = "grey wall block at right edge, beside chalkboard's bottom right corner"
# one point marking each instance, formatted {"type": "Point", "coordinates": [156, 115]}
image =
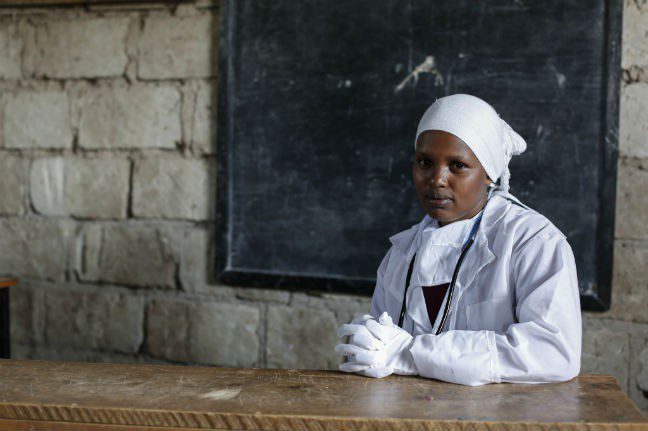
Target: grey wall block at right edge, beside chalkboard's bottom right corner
{"type": "Point", "coordinates": [630, 282]}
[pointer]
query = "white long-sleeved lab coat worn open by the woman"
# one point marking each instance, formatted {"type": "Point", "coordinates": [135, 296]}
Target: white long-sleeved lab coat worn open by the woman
{"type": "Point", "coordinates": [515, 313]}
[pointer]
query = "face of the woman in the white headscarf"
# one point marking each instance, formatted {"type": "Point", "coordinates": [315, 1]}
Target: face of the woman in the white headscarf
{"type": "Point", "coordinates": [450, 181]}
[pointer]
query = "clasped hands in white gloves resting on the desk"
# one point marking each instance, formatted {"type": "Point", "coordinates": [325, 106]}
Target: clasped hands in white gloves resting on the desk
{"type": "Point", "coordinates": [376, 348]}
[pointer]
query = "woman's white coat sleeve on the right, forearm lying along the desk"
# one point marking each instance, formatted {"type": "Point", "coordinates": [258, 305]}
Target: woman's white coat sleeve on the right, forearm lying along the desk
{"type": "Point", "coordinates": [544, 345]}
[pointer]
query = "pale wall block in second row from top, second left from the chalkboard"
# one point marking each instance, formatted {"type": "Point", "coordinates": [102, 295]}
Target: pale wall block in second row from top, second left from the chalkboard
{"type": "Point", "coordinates": [127, 118]}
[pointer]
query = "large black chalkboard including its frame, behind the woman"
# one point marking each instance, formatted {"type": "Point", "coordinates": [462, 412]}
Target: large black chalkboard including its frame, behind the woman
{"type": "Point", "coordinates": [319, 103]}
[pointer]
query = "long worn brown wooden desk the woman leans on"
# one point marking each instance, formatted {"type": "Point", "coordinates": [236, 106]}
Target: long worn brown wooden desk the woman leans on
{"type": "Point", "coordinates": [38, 395]}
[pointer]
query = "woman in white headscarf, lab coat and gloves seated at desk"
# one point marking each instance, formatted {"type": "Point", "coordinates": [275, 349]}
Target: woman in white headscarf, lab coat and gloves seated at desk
{"type": "Point", "coordinates": [507, 272]}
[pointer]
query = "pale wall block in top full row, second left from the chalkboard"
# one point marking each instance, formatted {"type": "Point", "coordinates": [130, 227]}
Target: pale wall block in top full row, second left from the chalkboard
{"type": "Point", "coordinates": [78, 48]}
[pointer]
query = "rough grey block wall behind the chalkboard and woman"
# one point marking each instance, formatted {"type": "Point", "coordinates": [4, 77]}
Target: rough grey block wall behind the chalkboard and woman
{"type": "Point", "coordinates": [107, 148]}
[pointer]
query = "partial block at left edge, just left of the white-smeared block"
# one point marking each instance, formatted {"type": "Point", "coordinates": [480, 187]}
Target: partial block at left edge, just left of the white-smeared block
{"type": "Point", "coordinates": [13, 187]}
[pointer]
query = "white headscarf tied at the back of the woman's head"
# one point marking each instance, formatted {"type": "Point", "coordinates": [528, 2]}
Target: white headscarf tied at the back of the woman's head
{"type": "Point", "coordinates": [476, 123]}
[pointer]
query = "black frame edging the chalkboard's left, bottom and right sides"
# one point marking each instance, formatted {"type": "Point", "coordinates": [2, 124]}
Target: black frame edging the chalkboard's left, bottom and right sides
{"type": "Point", "coordinates": [596, 299]}
